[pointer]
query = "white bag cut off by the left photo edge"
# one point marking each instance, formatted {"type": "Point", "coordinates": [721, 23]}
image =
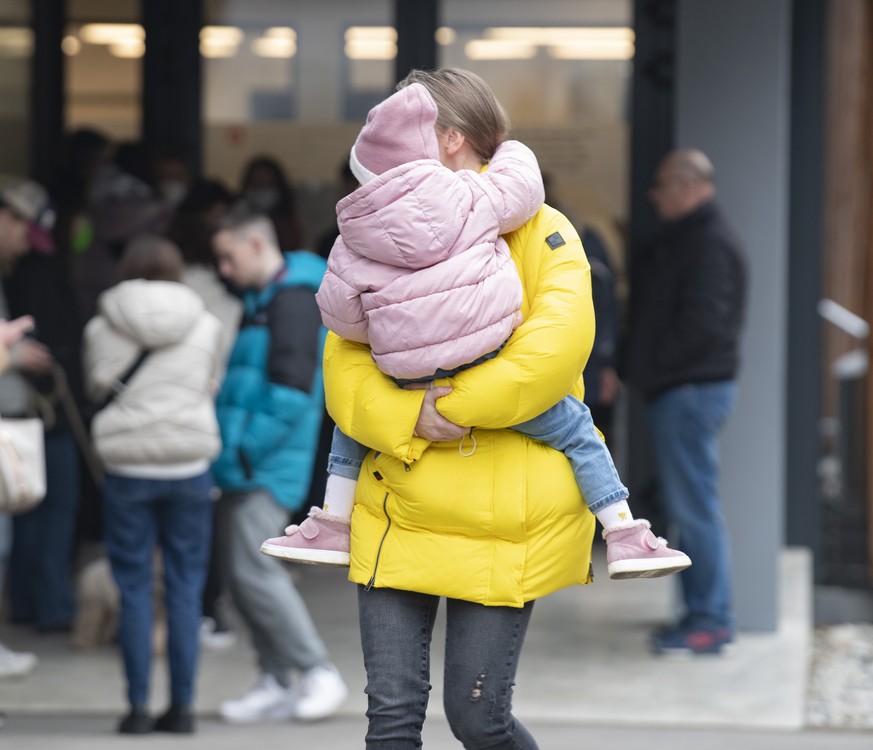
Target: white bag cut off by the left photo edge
{"type": "Point", "coordinates": [22, 464]}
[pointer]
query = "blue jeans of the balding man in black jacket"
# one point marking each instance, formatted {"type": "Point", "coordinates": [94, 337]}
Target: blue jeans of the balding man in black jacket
{"type": "Point", "coordinates": [686, 422]}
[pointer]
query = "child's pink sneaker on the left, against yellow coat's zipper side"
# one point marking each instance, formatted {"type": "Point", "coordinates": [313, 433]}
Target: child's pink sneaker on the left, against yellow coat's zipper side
{"type": "Point", "coordinates": [322, 539]}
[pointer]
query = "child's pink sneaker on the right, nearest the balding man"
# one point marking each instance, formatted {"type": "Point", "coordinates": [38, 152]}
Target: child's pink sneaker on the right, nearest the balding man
{"type": "Point", "coordinates": [633, 551]}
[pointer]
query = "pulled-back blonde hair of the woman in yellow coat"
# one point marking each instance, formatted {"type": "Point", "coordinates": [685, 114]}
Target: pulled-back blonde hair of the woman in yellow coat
{"type": "Point", "coordinates": [467, 104]}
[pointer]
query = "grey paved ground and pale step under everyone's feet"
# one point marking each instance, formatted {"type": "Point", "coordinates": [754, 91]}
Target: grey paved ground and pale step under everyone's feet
{"type": "Point", "coordinates": [587, 680]}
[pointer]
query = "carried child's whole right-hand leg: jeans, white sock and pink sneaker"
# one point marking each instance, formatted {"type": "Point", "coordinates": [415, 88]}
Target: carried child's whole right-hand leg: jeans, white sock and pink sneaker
{"type": "Point", "coordinates": [632, 550]}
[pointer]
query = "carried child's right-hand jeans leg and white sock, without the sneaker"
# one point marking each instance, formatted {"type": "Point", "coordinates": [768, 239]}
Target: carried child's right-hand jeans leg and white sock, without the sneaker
{"type": "Point", "coordinates": [568, 427]}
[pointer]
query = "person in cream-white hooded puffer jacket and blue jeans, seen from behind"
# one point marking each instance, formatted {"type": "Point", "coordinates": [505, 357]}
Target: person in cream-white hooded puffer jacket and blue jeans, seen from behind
{"type": "Point", "coordinates": [157, 438]}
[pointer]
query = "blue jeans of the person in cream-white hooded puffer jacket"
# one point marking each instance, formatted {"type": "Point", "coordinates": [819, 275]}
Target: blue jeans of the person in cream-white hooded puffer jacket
{"type": "Point", "coordinates": [176, 516]}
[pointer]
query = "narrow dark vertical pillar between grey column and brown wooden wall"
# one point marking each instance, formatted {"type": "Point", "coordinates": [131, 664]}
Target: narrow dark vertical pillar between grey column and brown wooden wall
{"type": "Point", "coordinates": [804, 518]}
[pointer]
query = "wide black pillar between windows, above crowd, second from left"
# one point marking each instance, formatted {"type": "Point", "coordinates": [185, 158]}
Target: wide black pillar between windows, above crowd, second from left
{"type": "Point", "coordinates": [171, 90]}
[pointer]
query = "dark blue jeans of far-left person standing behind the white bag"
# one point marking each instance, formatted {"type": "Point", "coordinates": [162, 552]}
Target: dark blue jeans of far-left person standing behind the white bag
{"type": "Point", "coordinates": [43, 539]}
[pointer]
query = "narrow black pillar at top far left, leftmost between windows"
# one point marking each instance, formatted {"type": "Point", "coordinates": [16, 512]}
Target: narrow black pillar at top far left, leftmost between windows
{"type": "Point", "coordinates": [46, 87]}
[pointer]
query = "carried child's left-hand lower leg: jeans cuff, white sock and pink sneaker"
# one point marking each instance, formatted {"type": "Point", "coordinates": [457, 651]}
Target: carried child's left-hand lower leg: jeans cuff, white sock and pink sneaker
{"type": "Point", "coordinates": [323, 538]}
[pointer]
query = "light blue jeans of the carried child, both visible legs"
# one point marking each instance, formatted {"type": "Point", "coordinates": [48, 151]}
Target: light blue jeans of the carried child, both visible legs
{"type": "Point", "coordinates": [566, 427]}
